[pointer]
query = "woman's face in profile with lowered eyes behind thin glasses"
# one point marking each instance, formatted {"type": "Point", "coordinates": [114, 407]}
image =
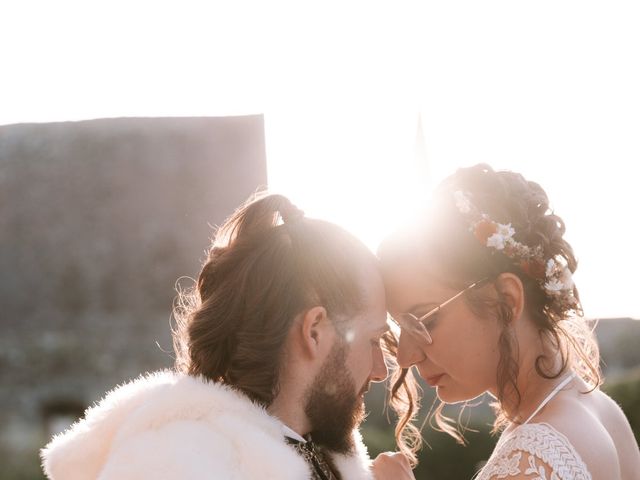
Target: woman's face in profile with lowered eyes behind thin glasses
{"type": "Point", "coordinates": [462, 360]}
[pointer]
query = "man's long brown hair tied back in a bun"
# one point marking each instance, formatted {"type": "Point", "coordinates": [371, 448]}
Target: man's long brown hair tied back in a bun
{"type": "Point", "coordinates": [268, 263]}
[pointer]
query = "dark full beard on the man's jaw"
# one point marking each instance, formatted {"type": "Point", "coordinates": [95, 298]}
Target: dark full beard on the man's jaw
{"type": "Point", "coordinates": [333, 405]}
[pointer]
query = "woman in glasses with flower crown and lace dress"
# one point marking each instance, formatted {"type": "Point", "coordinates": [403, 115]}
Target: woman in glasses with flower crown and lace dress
{"type": "Point", "coordinates": [482, 291]}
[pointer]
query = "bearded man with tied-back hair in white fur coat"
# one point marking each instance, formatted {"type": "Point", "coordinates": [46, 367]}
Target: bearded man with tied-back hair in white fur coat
{"type": "Point", "coordinates": [276, 348]}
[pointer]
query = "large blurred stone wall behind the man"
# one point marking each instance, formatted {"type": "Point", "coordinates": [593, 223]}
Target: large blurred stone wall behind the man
{"type": "Point", "coordinates": [98, 219]}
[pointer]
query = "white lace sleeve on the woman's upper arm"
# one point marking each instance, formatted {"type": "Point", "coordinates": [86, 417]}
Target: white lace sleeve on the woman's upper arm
{"type": "Point", "coordinates": [537, 452]}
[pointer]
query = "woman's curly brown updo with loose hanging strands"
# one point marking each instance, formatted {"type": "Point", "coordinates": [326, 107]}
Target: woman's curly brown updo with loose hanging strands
{"type": "Point", "coordinates": [446, 240]}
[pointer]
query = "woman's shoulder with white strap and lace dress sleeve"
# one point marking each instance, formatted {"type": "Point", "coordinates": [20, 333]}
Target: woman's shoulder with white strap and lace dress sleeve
{"type": "Point", "coordinates": [580, 436]}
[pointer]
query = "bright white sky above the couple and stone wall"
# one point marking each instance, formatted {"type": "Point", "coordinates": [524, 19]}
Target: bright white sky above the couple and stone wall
{"type": "Point", "coordinates": [546, 88]}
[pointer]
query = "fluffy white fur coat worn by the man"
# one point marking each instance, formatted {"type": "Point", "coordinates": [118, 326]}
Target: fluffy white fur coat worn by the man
{"type": "Point", "coordinates": [170, 426]}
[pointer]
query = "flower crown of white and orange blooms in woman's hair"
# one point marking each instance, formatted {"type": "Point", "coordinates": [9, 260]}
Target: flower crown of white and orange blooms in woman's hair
{"type": "Point", "coordinates": [553, 275]}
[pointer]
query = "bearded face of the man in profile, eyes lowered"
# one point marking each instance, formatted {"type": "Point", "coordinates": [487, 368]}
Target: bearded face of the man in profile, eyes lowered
{"type": "Point", "coordinates": [335, 402]}
